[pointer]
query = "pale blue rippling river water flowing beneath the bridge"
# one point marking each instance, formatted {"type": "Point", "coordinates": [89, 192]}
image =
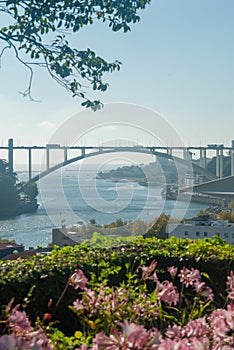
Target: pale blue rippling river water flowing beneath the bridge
{"type": "Point", "coordinates": [84, 198]}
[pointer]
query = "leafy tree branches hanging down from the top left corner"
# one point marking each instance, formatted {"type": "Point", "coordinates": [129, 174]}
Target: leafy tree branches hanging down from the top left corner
{"type": "Point", "coordinates": [31, 23]}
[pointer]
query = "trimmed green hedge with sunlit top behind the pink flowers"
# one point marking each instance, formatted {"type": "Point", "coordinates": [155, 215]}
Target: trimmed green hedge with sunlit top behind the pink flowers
{"type": "Point", "coordinates": [49, 273]}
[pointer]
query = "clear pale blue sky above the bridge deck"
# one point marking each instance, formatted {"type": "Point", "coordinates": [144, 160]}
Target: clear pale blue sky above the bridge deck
{"type": "Point", "coordinates": [177, 61]}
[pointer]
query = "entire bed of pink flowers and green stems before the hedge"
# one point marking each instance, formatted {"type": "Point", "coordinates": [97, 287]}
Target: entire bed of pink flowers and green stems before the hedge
{"type": "Point", "coordinates": [140, 313]}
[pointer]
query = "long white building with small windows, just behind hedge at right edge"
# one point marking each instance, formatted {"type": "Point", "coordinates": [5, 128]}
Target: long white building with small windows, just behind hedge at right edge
{"type": "Point", "coordinates": [202, 227]}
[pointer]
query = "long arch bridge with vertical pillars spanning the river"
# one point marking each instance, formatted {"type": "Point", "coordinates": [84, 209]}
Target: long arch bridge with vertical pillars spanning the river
{"type": "Point", "coordinates": [158, 151]}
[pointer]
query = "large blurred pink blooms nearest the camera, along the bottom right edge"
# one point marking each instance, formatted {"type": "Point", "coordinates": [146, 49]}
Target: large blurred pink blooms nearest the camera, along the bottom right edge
{"type": "Point", "coordinates": [214, 332]}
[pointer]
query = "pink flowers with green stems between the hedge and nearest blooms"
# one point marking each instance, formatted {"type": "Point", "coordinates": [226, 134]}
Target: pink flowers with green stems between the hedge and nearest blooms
{"type": "Point", "coordinates": [102, 306]}
